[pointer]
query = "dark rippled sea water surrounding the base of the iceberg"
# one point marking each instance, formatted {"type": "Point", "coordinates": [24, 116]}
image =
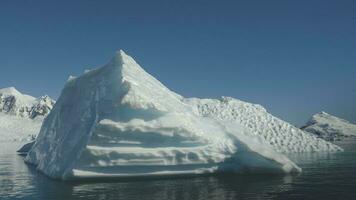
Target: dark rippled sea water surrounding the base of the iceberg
{"type": "Point", "coordinates": [325, 176]}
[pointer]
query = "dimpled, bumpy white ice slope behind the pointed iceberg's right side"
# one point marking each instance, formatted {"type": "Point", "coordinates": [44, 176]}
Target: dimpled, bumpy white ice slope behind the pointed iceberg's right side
{"type": "Point", "coordinates": [281, 135]}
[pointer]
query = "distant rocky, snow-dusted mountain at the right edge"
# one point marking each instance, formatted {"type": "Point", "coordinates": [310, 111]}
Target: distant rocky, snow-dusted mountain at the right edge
{"type": "Point", "coordinates": [329, 127]}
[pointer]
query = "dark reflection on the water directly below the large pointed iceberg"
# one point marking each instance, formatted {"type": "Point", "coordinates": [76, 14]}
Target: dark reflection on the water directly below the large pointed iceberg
{"type": "Point", "coordinates": [224, 186]}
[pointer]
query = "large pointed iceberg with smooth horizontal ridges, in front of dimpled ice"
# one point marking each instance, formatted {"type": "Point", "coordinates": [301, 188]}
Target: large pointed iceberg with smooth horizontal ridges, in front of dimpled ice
{"type": "Point", "coordinates": [120, 121]}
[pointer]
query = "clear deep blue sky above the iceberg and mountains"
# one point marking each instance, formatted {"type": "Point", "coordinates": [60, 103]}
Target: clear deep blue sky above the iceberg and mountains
{"type": "Point", "coordinates": [293, 57]}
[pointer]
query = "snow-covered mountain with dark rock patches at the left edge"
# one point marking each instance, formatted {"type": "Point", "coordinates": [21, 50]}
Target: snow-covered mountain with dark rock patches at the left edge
{"type": "Point", "coordinates": [21, 115]}
